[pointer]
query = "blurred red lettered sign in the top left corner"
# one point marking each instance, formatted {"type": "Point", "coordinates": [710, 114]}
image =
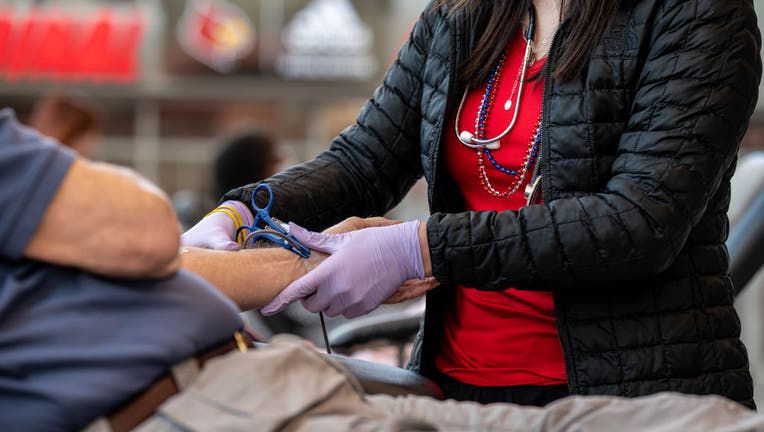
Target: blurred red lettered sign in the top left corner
{"type": "Point", "coordinates": [100, 45]}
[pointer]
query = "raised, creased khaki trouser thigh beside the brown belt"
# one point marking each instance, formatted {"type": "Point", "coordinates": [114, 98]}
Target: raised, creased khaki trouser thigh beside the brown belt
{"type": "Point", "coordinates": [287, 386]}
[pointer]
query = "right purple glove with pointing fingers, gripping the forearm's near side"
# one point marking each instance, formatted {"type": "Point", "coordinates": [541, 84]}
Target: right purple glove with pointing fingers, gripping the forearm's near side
{"type": "Point", "coordinates": [365, 268]}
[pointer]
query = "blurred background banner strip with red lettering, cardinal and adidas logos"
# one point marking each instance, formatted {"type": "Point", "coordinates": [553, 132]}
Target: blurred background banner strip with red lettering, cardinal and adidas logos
{"type": "Point", "coordinates": [127, 42]}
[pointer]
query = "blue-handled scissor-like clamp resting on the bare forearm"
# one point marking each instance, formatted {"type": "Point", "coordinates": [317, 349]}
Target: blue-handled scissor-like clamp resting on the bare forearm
{"type": "Point", "coordinates": [273, 230]}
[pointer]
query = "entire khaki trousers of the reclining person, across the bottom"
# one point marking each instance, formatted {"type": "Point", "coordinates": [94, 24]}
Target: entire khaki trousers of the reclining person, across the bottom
{"type": "Point", "coordinates": [290, 387]}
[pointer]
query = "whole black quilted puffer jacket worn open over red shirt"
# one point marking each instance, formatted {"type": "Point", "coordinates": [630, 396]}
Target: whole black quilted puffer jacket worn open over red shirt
{"type": "Point", "coordinates": [636, 162]}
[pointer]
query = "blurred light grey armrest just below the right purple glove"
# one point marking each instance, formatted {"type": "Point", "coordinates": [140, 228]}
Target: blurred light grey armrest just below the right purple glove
{"type": "Point", "coordinates": [393, 326]}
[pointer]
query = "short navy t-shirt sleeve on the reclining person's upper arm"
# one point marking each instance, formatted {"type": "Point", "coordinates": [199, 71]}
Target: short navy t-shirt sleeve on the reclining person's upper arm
{"type": "Point", "coordinates": [31, 169]}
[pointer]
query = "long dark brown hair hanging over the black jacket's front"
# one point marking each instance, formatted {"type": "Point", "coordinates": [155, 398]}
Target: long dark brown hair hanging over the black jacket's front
{"type": "Point", "coordinates": [588, 21]}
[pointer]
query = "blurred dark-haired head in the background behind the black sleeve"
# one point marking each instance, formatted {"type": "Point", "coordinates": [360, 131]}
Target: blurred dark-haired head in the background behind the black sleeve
{"type": "Point", "coordinates": [244, 159]}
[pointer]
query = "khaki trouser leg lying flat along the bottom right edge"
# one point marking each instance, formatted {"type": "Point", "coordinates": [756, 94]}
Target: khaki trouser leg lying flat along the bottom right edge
{"type": "Point", "coordinates": [669, 412]}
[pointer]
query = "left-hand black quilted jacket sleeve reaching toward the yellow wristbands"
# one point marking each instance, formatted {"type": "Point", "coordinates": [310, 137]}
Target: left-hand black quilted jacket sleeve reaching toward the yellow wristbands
{"type": "Point", "coordinates": [371, 165]}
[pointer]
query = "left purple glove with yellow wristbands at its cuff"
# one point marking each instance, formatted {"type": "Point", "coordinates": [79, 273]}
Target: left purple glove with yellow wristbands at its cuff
{"type": "Point", "coordinates": [217, 230]}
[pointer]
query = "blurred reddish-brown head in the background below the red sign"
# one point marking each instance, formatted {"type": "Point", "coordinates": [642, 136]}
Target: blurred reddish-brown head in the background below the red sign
{"type": "Point", "coordinates": [72, 121]}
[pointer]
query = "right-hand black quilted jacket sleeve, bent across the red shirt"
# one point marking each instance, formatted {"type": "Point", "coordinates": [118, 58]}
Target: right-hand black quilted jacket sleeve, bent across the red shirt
{"type": "Point", "coordinates": [694, 97]}
